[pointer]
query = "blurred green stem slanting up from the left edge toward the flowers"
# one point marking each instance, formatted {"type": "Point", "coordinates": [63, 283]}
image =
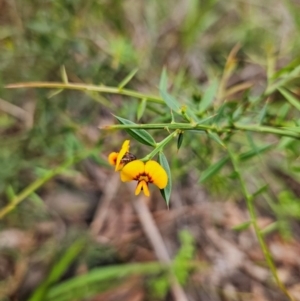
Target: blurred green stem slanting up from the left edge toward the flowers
{"type": "Point", "coordinates": [41, 181]}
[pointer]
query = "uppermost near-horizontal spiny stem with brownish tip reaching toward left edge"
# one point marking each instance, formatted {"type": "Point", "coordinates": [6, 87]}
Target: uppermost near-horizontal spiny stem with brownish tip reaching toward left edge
{"type": "Point", "coordinates": [89, 88]}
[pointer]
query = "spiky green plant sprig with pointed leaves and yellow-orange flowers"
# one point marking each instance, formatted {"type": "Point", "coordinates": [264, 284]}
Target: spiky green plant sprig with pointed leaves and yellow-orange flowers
{"type": "Point", "coordinates": [220, 121]}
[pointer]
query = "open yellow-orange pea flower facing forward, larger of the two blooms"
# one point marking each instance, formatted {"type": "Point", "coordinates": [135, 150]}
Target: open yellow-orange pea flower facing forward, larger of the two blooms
{"type": "Point", "coordinates": [144, 173]}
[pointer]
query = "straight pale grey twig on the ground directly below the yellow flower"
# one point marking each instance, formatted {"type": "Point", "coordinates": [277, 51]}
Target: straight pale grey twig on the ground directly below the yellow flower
{"type": "Point", "coordinates": [157, 243]}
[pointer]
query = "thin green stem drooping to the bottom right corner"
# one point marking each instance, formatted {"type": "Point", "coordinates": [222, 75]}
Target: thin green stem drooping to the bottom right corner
{"type": "Point", "coordinates": [249, 200]}
